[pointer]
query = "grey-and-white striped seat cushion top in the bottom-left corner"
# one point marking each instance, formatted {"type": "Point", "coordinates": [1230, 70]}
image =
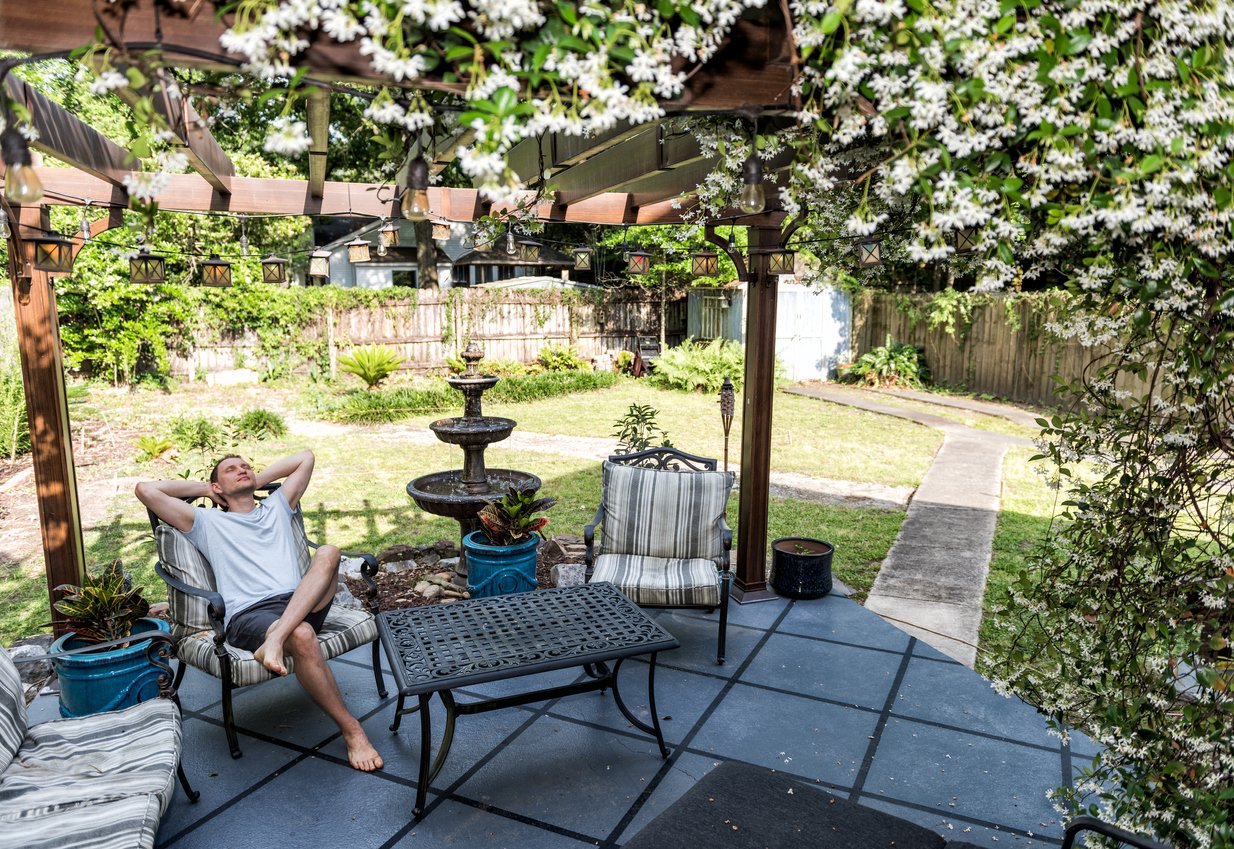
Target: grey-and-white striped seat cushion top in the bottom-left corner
{"type": "Point", "coordinates": [68, 764]}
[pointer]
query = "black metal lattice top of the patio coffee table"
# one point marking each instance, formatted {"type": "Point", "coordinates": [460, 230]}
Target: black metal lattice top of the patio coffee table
{"type": "Point", "coordinates": [441, 647]}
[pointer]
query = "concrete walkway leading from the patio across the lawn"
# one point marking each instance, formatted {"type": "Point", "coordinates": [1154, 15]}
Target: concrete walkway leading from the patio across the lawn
{"type": "Point", "coordinates": [934, 581]}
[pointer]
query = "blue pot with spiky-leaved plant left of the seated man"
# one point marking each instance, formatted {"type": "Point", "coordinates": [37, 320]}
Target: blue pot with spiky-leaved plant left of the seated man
{"type": "Point", "coordinates": [103, 610]}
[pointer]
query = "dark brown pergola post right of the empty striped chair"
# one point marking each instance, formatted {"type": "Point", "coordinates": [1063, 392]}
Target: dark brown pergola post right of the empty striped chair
{"type": "Point", "coordinates": [758, 397]}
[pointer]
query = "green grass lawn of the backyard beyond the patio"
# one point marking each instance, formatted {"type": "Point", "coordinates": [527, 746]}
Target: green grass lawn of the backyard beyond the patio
{"type": "Point", "coordinates": [358, 498]}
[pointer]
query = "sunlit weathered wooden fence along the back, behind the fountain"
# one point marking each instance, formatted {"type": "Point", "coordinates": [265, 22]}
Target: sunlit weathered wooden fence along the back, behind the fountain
{"type": "Point", "coordinates": [431, 326]}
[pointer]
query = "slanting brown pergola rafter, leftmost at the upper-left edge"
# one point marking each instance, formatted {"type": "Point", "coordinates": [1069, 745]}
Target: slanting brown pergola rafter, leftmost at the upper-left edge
{"type": "Point", "coordinates": [64, 136]}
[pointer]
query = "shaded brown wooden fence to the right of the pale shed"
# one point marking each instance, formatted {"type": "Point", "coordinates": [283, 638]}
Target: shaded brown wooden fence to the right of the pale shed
{"type": "Point", "coordinates": [990, 355]}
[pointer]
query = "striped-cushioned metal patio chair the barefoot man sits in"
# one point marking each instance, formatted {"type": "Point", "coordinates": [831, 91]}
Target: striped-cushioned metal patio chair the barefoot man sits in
{"type": "Point", "coordinates": [197, 615]}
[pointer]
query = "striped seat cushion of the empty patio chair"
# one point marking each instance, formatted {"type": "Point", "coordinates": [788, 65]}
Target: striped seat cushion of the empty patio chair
{"type": "Point", "coordinates": [661, 582]}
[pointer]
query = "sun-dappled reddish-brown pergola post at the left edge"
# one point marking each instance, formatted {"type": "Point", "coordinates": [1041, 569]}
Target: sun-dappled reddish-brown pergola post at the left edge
{"type": "Point", "coordinates": [43, 371]}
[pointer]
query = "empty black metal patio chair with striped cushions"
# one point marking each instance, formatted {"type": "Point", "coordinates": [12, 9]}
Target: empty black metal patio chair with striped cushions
{"type": "Point", "coordinates": [666, 542]}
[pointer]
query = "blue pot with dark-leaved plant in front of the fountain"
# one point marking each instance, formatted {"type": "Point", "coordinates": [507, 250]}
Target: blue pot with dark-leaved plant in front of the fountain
{"type": "Point", "coordinates": [503, 555]}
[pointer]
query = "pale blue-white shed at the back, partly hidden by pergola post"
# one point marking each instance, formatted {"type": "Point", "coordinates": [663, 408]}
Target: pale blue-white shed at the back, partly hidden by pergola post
{"type": "Point", "coordinates": [814, 326]}
